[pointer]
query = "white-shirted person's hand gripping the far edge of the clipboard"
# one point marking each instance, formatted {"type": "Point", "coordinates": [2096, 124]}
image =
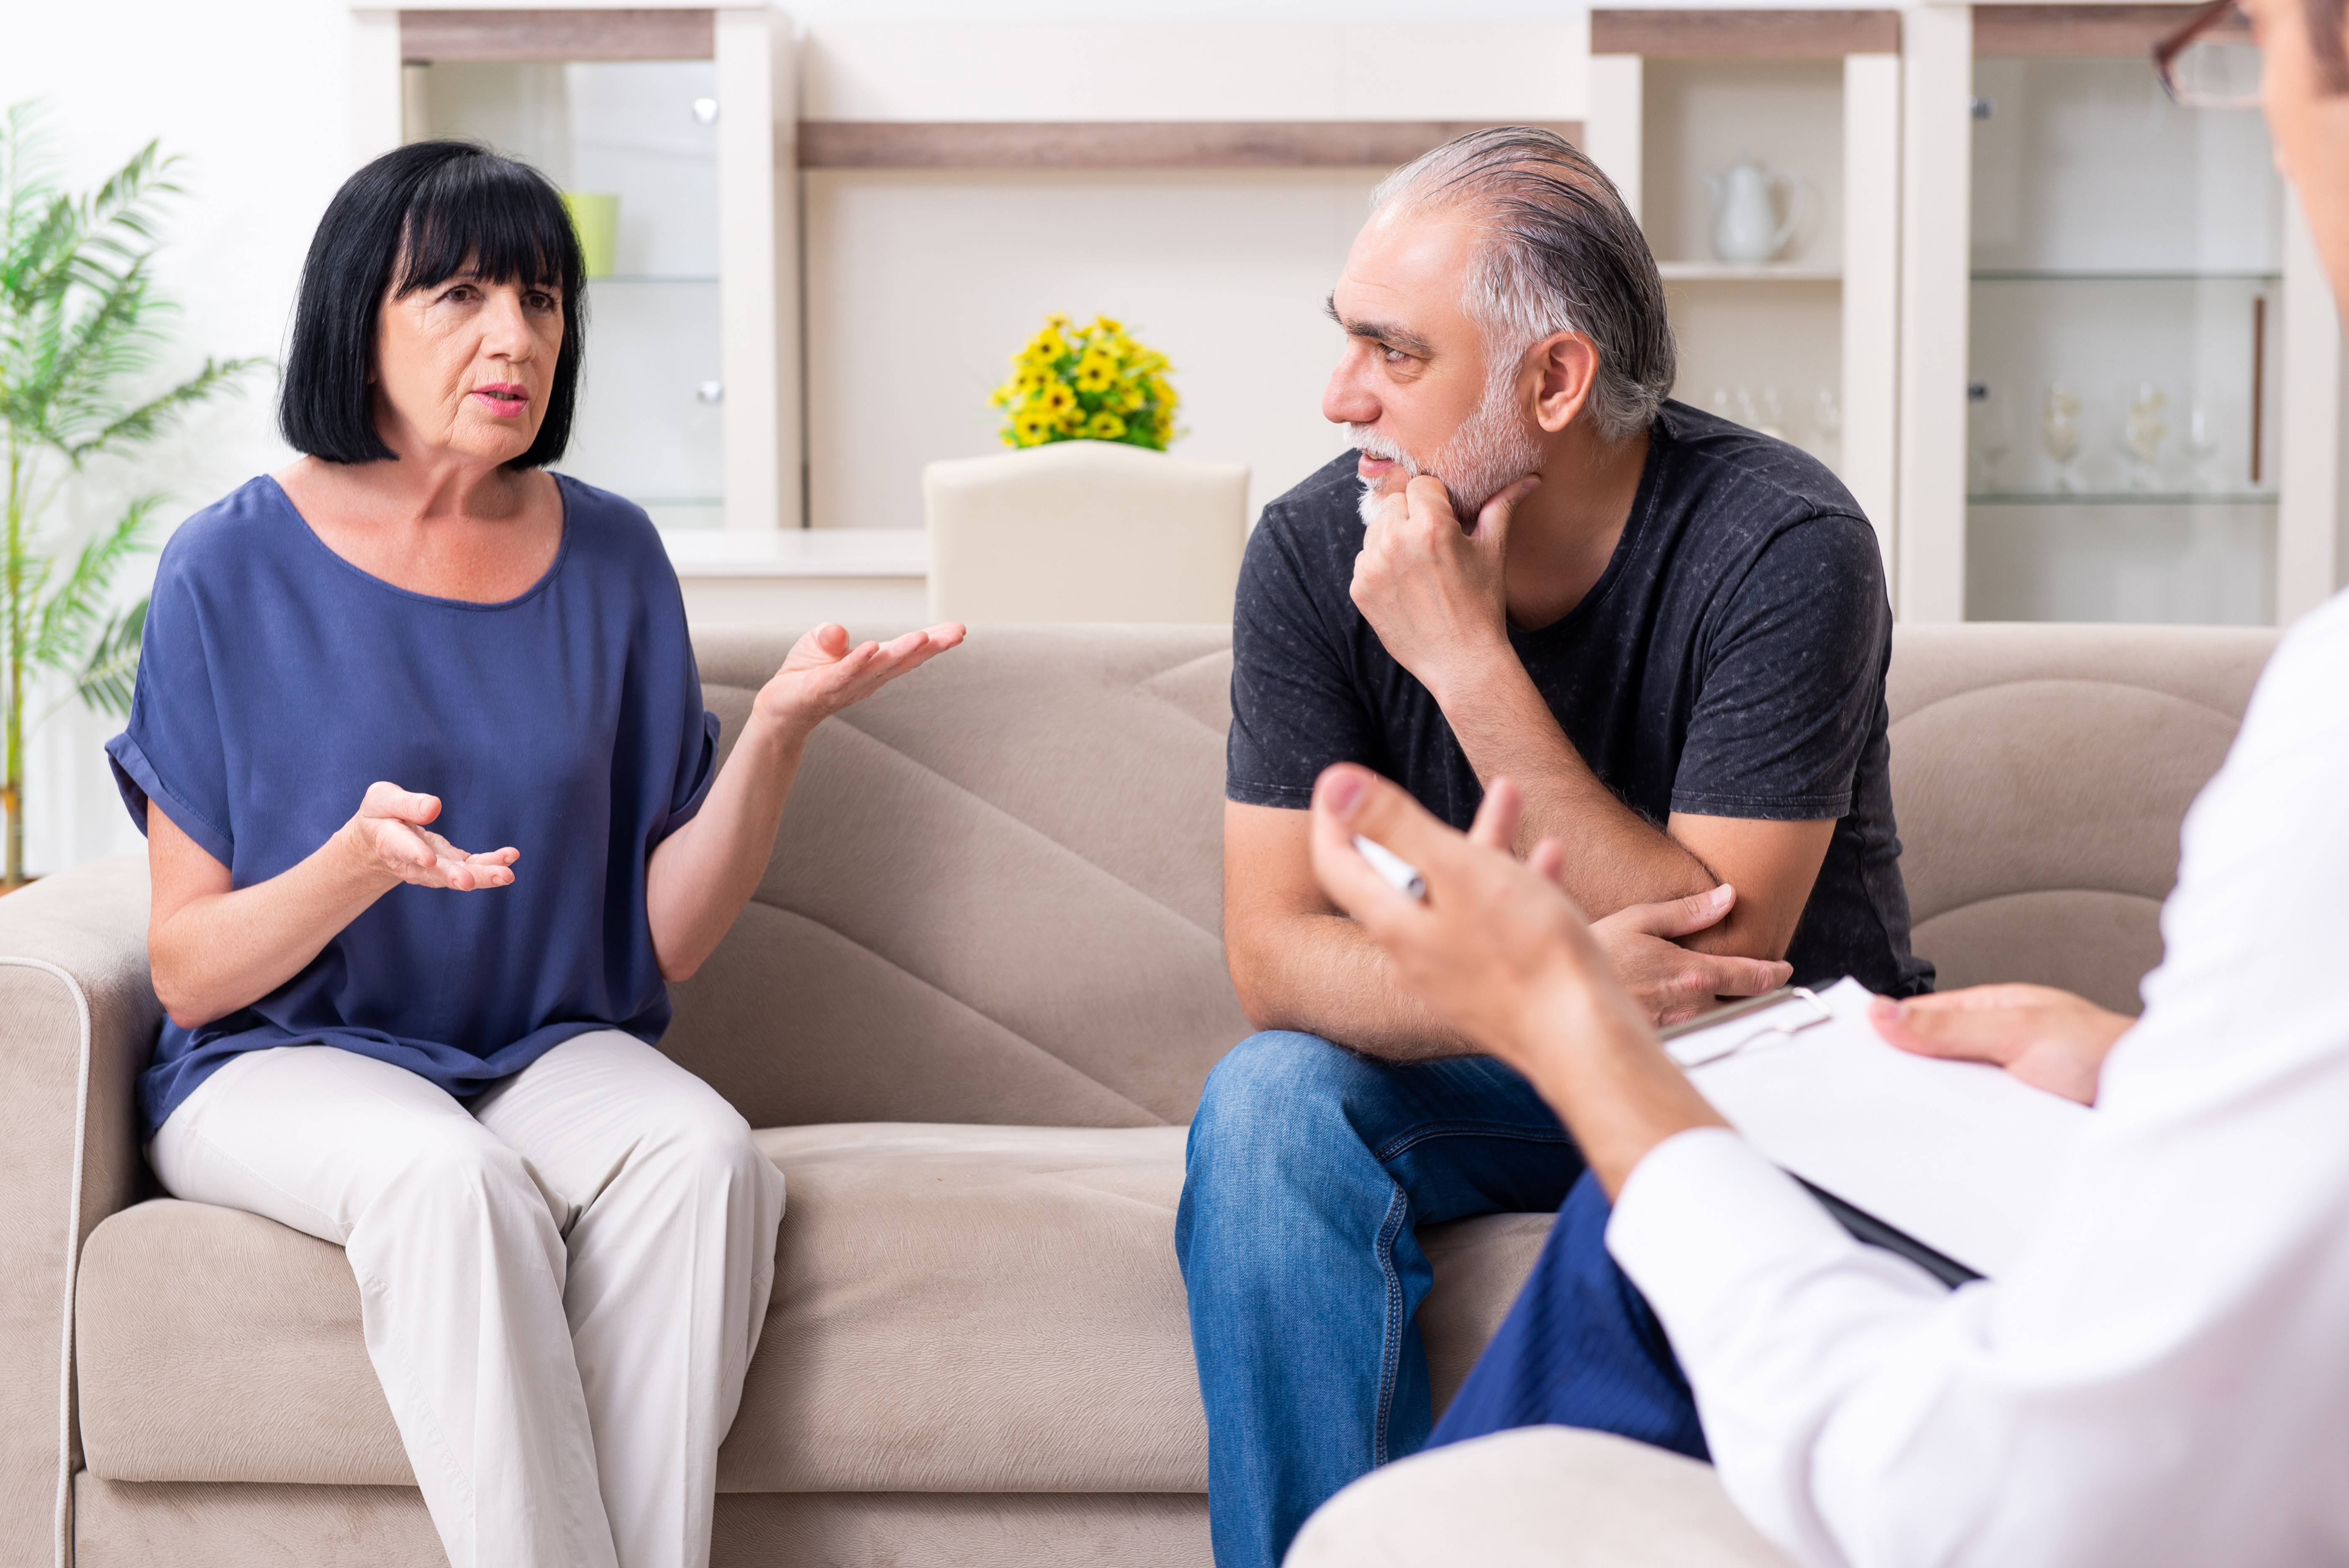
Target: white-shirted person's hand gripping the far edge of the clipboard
{"type": "Point", "coordinates": [2045, 1036]}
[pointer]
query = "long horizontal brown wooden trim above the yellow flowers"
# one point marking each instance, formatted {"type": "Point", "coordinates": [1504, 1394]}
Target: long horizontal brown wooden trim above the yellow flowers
{"type": "Point", "coordinates": [1133, 144]}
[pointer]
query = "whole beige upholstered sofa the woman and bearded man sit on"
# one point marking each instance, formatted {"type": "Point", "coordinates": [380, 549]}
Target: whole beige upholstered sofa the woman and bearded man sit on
{"type": "Point", "coordinates": [974, 1006]}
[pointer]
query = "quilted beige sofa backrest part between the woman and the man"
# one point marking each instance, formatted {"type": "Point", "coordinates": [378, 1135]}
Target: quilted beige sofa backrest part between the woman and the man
{"type": "Point", "coordinates": [997, 893]}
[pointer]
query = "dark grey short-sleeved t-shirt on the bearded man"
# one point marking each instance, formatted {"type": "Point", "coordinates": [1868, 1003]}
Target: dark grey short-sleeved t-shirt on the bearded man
{"type": "Point", "coordinates": [1728, 663]}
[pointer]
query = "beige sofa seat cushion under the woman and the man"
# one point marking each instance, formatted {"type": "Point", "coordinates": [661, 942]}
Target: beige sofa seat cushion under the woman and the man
{"type": "Point", "coordinates": [957, 1309]}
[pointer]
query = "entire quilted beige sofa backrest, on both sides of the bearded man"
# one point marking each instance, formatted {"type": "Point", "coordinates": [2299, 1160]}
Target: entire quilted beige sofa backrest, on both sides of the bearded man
{"type": "Point", "coordinates": [997, 893]}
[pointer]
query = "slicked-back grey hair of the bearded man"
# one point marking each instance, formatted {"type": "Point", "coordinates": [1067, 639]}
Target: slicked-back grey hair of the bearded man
{"type": "Point", "coordinates": [1561, 255]}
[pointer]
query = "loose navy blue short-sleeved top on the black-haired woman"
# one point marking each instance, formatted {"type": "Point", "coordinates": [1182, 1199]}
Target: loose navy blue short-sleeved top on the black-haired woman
{"type": "Point", "coordinates": [278, 682]}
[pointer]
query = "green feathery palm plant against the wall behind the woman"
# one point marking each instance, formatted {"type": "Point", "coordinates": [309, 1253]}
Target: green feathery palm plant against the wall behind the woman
{"type": "Point", "coordinates": [79, 332]}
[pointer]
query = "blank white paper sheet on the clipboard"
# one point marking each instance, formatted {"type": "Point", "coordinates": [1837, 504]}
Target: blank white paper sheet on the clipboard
{"type": "Point", "coordinates": [1958, 1156]}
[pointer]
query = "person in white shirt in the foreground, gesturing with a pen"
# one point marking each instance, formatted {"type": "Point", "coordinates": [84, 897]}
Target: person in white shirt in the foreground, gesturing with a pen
{"type": "Point", "coordinates": [2165, 1379]}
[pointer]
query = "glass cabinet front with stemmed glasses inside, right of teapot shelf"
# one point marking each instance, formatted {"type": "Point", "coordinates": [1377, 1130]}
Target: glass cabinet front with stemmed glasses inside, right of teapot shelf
{"type": "Point", "coordinates": [2125, 325]}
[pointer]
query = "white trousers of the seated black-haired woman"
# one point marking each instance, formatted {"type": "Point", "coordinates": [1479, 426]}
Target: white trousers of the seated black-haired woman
{"type": "Point", "coordinates": [563, 1283]}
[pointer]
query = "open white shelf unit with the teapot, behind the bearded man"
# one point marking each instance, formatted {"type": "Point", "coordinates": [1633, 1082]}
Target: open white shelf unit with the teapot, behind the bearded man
{"type": "Point", "coordinates": [1808, 344]}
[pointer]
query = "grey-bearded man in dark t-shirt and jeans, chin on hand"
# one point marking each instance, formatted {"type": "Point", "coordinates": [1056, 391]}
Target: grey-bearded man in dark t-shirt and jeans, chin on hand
{"type": "Point", "coordinates": [1669, 628]}
